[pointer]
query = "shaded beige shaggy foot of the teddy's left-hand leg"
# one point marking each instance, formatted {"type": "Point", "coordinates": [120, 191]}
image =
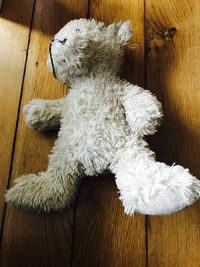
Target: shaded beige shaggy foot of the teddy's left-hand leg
{"type": "Point", "coordinates": [37, 192]}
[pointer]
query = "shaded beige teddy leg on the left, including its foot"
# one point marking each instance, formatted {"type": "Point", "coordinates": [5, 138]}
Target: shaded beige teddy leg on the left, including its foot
{"type": "Point", "coordinates": [53, 189]}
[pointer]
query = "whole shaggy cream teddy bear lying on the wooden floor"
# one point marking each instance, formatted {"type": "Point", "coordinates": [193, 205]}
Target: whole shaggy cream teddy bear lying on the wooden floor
{"type": "Point", "coordinates": [102, 124]}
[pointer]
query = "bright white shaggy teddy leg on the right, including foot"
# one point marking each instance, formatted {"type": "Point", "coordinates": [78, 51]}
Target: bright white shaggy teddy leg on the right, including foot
{"type": "Point", "coordinates": [151, 187]}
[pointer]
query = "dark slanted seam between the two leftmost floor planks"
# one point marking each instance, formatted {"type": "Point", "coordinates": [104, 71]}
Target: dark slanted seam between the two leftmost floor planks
{"type": "Point", "coordinates": [17, 119]}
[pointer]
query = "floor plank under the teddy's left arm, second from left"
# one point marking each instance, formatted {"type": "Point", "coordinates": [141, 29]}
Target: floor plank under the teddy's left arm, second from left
{"type": "Point", "coordinates": [31, 239]}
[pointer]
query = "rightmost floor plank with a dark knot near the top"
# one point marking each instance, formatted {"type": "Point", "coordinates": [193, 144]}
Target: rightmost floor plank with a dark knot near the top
{"type": "Point", "coordinates": [172, 70]}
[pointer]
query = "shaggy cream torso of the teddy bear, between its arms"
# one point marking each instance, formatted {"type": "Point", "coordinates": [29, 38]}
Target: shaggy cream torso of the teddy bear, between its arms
{"type": "Point", "coordinates": [93, 123]}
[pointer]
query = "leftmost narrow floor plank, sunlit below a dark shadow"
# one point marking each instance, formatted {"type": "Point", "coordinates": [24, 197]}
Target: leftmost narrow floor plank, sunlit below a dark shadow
{"type": "Point", "coordinates": [12, 50]}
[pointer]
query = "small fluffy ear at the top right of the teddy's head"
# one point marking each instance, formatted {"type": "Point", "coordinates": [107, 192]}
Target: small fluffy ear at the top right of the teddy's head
{"type": "Point", "coordinates": [124, 32]}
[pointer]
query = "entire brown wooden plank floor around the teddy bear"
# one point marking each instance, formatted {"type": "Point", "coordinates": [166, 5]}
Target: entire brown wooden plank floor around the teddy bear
{"type": "Point", "coordinates": [94, 231]}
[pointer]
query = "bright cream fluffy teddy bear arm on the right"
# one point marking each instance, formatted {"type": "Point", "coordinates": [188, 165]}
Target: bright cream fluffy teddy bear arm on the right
{"type": "Point", "coordinates": [142, 109]}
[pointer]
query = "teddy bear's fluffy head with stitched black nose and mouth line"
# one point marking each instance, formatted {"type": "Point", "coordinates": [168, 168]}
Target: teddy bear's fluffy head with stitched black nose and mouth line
{"type": "Point", "coordinates": [86, 46]}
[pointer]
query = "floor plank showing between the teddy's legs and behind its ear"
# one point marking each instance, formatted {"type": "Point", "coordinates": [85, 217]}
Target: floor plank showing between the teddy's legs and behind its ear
{"type": "Point", "coordinates": [103, 235]}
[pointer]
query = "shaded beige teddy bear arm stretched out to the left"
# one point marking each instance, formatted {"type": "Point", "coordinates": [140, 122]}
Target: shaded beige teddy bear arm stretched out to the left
{"type": "Point", "coordinates": [42, 114]}
